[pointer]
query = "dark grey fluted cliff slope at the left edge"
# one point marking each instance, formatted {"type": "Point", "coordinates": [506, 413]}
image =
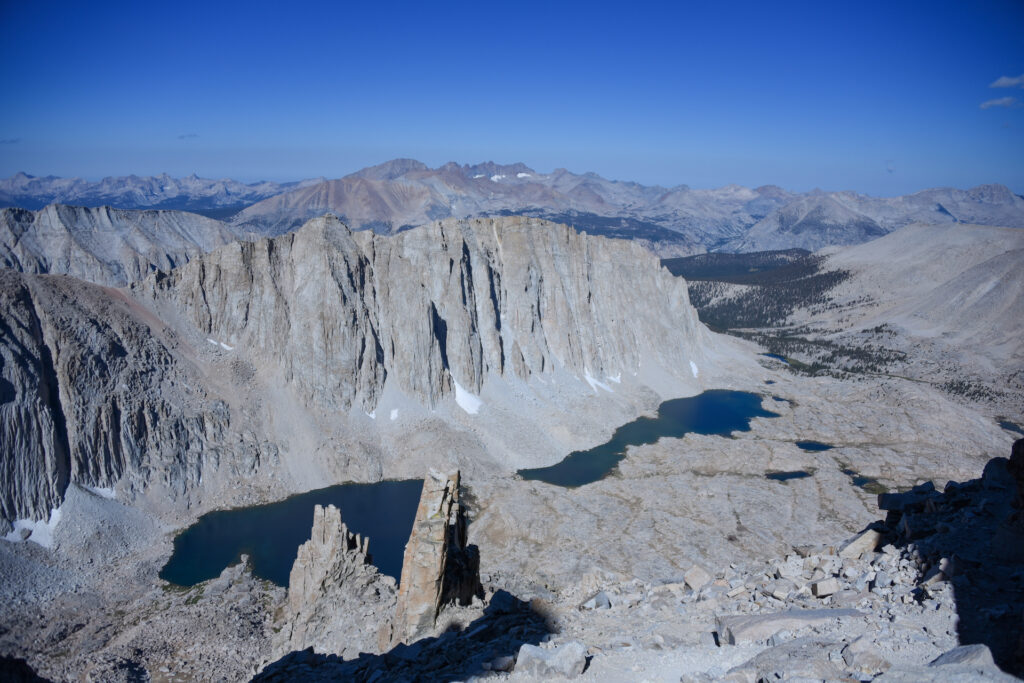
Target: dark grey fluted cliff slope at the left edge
{"type": "Point", "coordinates": [95, 393]}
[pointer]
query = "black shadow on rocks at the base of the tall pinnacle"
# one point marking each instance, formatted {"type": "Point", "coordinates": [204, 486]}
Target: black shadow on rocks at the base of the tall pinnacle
{"type": "Point", "coordinates": [506, 625]}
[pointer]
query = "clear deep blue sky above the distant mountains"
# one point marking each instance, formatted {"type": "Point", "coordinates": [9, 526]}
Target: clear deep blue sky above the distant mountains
{"type": "Point", "coordinates": [879, 98]}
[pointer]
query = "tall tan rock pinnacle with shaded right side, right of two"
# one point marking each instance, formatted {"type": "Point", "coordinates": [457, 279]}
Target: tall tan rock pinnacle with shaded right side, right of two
{"type": "Point", "coordinates": [439, 568]}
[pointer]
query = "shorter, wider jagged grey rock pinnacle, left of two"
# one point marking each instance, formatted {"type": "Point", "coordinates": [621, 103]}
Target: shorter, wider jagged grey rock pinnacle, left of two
{"type": "Point", "coordinates": [337, 600]}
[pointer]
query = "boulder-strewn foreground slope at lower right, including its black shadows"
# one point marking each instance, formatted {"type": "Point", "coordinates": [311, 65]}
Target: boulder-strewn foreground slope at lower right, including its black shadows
{"type": "Point", "coordinates": [931, 593]}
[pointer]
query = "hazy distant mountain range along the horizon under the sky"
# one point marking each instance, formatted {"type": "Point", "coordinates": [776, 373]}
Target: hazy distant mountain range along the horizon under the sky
{"type": "Point", "coordinates": [671, 222]}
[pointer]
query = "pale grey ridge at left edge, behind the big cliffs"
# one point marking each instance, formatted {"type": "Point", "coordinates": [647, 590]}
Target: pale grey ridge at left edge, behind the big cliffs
{"type": "Point", "coordinates": [105, 246]}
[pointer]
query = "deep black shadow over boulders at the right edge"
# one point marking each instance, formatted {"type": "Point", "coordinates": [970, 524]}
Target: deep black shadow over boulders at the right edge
{"type": "Point", "coordinates": [973, 534]}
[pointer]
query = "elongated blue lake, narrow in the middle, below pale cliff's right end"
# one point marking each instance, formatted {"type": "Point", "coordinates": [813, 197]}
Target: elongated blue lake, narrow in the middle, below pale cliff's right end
{"type": "Point", "coordinates": [715, 412]}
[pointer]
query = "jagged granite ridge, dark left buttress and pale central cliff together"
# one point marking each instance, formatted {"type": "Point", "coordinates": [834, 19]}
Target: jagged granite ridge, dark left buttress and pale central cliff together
{"type": "Point", "coordinates": [103, 387]}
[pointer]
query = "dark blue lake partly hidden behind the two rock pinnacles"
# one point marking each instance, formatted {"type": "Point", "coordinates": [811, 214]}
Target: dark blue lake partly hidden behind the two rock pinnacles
{"type": "Point", "coordinates": [272, 534]}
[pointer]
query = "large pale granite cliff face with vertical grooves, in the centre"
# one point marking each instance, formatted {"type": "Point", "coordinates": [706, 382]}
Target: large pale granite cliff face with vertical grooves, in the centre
{"type": "Point", "coordinates": [444, 306]}
